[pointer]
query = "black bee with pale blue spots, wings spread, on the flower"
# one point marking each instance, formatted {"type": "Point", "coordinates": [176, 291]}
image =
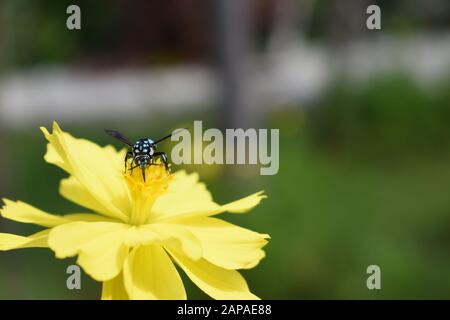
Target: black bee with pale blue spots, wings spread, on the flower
{"type": "Point", "coordinates": [142, 152]}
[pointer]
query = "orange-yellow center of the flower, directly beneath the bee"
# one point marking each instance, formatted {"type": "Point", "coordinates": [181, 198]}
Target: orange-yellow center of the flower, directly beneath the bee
{"type": "Point", "coordinates": [145, 193]}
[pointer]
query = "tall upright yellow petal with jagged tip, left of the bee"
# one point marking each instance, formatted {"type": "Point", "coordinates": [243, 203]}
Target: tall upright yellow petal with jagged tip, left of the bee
{"type": "Point", "coordinates": [97, 169]}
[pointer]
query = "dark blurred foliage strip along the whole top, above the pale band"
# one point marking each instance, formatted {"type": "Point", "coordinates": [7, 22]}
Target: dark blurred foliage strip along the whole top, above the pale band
{"type": "Point", "coordinates": [162, 32]}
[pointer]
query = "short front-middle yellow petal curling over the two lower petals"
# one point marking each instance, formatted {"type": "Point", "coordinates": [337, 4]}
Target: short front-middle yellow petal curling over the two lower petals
{"type": "Point", "coordinates": [168, 235]}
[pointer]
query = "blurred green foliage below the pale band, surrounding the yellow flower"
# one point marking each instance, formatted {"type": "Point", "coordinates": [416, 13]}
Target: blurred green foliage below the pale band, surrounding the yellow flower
{"type": "Point", "coordinates": [333, 209]}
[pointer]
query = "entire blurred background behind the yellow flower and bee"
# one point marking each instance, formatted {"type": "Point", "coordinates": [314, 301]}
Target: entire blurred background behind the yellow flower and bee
{"type": "Point", "coordinates": [364, 149]}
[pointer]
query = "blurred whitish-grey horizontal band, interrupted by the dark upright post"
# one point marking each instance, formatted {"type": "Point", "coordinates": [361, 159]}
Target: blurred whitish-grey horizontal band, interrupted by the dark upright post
{"type": "Point", "coordinates": [292, 74]}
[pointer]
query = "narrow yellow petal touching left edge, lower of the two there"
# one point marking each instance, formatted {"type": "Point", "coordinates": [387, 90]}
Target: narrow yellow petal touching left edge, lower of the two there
{"type": "Point", "coordinates": [11, 241]}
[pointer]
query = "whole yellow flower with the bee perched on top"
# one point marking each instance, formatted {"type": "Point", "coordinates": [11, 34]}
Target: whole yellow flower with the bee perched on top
{"type": "Point", "coordinates": [139, 229]}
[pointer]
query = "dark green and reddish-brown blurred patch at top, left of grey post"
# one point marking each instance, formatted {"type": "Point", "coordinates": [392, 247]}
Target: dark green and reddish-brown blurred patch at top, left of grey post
{"type": "Point", "coordinates": [111, 33]}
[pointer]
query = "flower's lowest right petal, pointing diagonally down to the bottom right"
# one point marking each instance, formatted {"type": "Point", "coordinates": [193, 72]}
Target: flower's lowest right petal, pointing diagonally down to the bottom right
{"type": "Point", "coordinates": [217, 282]}
